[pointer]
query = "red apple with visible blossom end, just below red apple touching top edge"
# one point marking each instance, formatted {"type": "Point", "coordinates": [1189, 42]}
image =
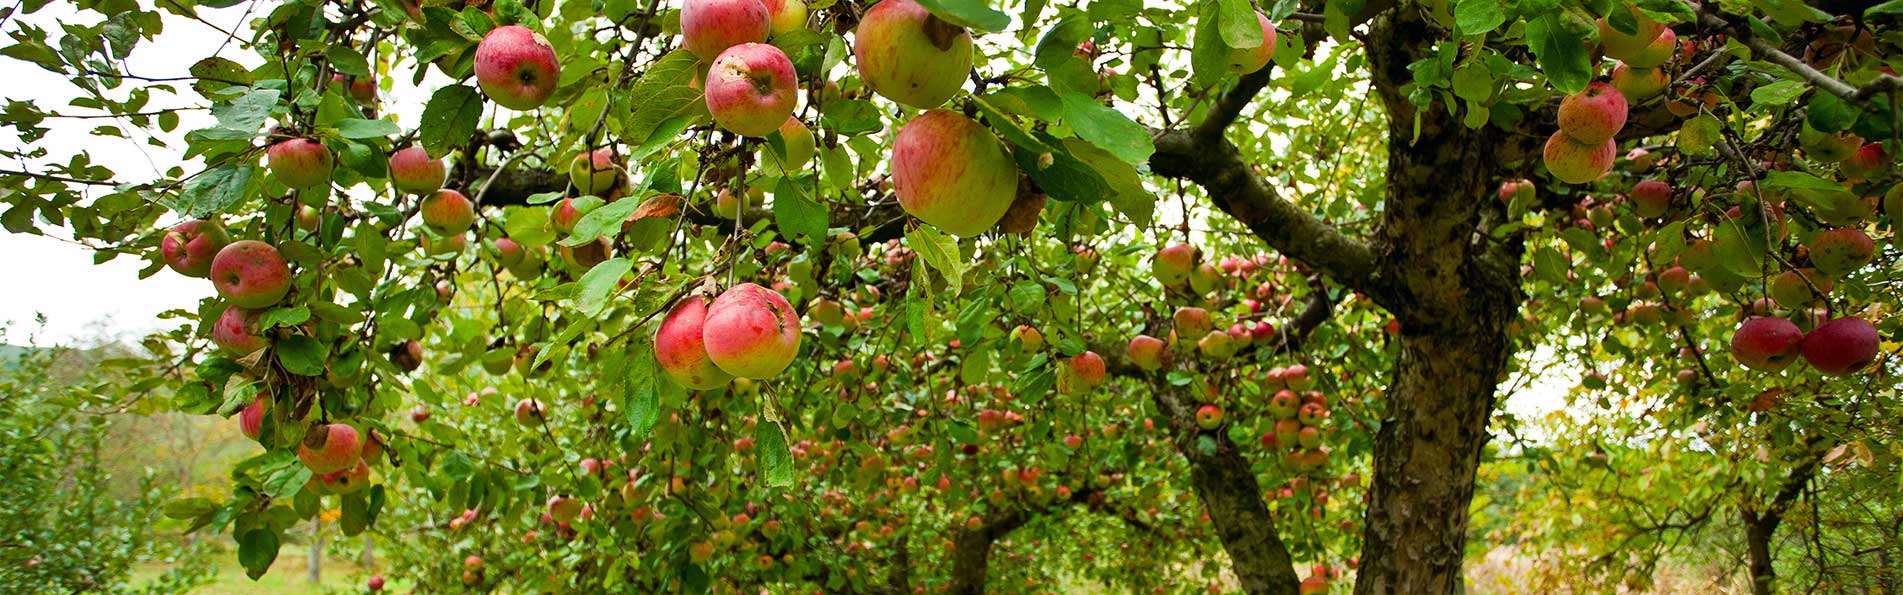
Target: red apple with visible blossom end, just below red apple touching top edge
{"type": "Point", "coordinates": [753, 88]}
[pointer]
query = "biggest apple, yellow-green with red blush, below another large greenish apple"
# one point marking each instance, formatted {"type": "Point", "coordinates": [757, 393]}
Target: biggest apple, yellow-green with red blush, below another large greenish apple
{"type": "Point", "coordinates": [951, 172]}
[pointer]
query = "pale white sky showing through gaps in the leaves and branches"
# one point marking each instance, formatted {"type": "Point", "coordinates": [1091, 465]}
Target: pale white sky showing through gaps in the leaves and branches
{"type": "Point", "coordinates": [87, 303]}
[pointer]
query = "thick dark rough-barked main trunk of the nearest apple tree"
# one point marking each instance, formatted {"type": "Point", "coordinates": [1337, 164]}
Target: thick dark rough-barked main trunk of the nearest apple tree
{"type": "Point", "coordinates": [1455, 296]}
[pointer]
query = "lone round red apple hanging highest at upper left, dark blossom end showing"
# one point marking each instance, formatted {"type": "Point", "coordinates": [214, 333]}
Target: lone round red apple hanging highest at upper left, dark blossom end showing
{"type": "Point", "coordinates": [517, 67]}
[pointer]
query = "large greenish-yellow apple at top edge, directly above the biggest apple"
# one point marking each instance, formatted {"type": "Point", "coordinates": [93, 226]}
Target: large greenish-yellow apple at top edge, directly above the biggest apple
{"type": "Point", "coordinates": [911, 56]}
